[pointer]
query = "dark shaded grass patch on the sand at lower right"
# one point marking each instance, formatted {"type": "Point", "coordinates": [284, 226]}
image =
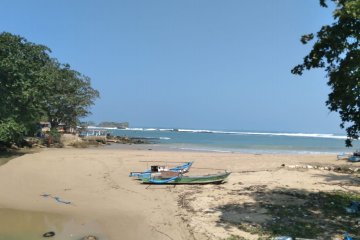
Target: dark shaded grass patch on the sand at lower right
{"type": "Point", "coordinates": [318, 215]}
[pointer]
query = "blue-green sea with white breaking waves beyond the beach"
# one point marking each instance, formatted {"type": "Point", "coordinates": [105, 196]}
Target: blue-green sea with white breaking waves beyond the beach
{"type": "Point", "coordinates": [254, 142]}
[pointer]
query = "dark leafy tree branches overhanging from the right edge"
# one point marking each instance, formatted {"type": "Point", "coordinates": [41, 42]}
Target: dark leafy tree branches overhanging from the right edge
{"type": "Point", "coordinates": [337, 49]}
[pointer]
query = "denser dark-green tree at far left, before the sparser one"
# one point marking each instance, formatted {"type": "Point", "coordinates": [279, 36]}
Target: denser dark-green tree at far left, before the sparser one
{"type": "Point", "coordinates": [21, 85]}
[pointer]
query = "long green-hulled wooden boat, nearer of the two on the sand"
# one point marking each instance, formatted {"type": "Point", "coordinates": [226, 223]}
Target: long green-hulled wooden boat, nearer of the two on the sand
{"type": "Point", "coordinates": [178, 178]}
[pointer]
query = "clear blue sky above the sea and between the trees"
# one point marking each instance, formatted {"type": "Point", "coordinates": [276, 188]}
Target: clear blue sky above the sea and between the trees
{"type": "Point", "coordinates": [198, 64]}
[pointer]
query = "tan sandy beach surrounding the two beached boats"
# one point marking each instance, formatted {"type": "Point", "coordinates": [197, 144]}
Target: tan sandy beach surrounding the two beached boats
{"type": "Point", "coordinates": [104, 201]}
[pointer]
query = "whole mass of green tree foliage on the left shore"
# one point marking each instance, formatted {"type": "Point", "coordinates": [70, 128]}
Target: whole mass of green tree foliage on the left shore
{"type": "Point", "coordinates": [35, 87]}
